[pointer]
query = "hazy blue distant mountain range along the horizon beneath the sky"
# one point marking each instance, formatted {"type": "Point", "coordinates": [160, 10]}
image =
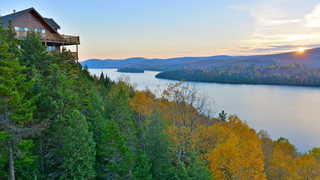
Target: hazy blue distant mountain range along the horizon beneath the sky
{"type": "Point", "coordinates": [310, 58]}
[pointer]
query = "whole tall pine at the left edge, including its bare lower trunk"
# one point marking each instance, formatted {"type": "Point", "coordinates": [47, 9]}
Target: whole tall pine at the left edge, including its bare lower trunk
{"type": "Point", "coordinates": [16, 101]}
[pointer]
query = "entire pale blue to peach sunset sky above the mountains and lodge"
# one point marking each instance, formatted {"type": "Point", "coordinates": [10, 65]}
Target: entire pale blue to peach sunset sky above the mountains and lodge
{"type": "Point", "coordinates": [117, 29]}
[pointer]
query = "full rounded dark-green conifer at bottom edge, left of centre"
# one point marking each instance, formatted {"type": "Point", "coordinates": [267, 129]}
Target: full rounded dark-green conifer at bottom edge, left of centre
{"type": "Point", "coordinates": [77, 148]}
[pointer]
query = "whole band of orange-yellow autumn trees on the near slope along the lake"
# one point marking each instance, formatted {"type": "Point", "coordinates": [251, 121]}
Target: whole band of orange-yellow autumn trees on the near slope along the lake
{"type": "Point", "coordinates": [232, 149]}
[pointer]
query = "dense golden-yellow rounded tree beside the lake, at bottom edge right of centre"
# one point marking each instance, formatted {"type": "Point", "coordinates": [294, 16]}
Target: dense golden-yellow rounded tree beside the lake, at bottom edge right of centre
{"type": "Point", "coordinates": [239, 155]}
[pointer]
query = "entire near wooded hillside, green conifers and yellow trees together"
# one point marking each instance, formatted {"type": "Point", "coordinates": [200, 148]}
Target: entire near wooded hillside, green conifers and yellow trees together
{"type": "Point", "coordinates": [59, 122]}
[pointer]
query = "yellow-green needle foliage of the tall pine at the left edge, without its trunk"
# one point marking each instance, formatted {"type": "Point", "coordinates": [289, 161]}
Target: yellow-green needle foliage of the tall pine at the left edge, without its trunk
{"type": "Point", "coordinates": [14, 86]}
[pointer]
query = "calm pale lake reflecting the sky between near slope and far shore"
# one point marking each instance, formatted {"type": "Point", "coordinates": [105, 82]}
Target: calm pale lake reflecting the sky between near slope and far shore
{"type": "Point", "coordinates": [283, 111]}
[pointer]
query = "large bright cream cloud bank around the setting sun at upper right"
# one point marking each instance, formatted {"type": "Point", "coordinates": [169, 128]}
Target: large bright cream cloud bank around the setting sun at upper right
{"type": "Point", "coordinates": [279, 29]}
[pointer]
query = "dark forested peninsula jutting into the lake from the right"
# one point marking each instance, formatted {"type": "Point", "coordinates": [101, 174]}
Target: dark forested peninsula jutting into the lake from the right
{"type": "Point", "coordinates": [293, 74]}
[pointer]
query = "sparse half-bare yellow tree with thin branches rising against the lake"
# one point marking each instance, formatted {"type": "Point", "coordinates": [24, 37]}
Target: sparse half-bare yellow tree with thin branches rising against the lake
{"type": "Point", "coordinates": [181, 108]}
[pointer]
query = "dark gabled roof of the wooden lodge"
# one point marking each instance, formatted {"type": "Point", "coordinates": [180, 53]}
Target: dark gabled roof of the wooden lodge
{"type": "Point", "coordinates": [5, 20]}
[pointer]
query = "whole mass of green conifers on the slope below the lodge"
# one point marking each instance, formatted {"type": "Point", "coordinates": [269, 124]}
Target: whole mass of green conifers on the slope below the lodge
{"type": "Point", "coordinates": [93, 132]}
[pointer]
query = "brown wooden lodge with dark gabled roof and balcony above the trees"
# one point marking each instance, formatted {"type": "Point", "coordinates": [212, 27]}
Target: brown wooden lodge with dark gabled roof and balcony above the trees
{"type": "Point", "coordinates": [30, 20]}
